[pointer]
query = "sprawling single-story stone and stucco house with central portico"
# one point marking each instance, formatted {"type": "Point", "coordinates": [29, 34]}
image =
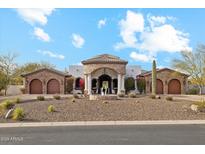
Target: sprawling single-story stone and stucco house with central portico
{"type": "Point", "coordinates": [102, 69]}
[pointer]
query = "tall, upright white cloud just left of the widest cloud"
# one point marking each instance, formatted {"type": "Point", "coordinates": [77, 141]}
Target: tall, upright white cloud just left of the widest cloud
{"type": "Point", "coordinates": [133, 23]}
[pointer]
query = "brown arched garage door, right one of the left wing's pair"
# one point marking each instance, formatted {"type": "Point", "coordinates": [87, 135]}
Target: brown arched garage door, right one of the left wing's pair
{"type": "Point", "coordinates": [53, 87]}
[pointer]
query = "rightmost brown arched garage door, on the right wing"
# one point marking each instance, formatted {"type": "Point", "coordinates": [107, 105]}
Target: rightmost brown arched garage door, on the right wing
{"type": "Point", "coordinates": [174, 87]}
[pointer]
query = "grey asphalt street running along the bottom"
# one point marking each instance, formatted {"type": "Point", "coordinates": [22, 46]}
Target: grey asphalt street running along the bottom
{"type": "Point", "coordinates": [135, 134]}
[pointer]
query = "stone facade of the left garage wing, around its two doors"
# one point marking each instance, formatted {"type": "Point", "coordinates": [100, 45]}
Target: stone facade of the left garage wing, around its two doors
{"type": "Point", "coordinates": [44, 76]}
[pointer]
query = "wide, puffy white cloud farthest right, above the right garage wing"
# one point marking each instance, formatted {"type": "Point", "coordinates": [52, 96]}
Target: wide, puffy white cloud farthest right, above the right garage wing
{"type": "Point", "coordinates": [164, 38]}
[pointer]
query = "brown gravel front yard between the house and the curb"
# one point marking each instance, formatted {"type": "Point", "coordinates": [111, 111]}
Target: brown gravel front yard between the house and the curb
{"type": "Point", "coordinates": [142, 108]}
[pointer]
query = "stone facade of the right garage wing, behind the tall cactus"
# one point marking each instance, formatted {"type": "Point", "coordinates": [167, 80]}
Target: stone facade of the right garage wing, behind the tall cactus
{"type": "Point", "coordinates": [165, 76]}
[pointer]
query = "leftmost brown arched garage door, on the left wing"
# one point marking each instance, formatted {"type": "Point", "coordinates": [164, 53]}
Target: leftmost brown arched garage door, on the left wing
{"type": "Point", "coordinates": [36, 87]}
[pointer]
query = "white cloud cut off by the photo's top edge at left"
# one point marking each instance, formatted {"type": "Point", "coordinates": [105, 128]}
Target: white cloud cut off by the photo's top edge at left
{"type": "Point", "coordinates": [34, 15]}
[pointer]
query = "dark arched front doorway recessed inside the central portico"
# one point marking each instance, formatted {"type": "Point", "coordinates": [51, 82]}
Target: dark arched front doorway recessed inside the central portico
{"type": "Point", "coordinates": [107, 80]}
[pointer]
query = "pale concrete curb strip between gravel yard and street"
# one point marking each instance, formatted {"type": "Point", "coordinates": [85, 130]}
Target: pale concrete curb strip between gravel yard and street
{"type": "Point", "coordinates": [102, 123]}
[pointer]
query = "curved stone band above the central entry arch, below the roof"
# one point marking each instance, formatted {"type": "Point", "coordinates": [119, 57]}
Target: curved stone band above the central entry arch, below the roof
{"type": "Point", "coordinates": [119, 68]}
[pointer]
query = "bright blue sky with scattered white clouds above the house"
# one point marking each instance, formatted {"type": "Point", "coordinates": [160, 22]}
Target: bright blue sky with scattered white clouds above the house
{"type": "Point", "coordinates": [67, 36]}
